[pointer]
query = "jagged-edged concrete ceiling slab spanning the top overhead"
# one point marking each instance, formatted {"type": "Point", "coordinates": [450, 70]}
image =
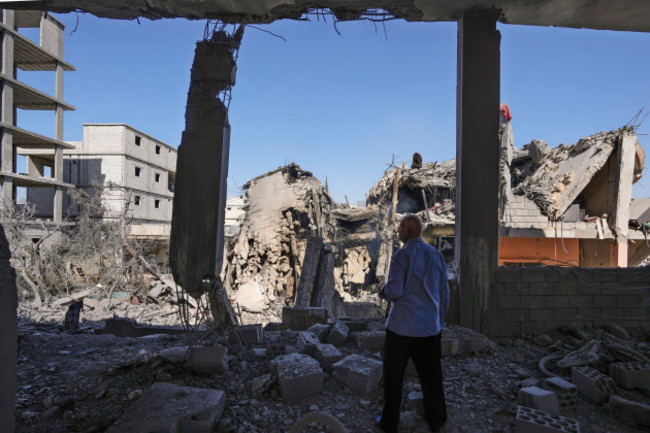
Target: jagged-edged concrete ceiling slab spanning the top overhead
{"type": "Point", "coordinates": [627, 15]}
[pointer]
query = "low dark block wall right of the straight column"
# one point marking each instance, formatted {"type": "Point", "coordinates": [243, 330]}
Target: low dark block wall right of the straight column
{"type": "Point", "coordinates": [534, 300]}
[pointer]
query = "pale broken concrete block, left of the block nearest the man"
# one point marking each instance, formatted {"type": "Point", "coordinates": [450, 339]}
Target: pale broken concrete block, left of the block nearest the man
{"type": "Point", "coordinates": [298, 375]}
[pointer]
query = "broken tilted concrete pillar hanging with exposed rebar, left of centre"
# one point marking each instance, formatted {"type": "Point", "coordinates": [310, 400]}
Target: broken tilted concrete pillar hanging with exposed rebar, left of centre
{"type": "Point", "coordinates": [197, 233]}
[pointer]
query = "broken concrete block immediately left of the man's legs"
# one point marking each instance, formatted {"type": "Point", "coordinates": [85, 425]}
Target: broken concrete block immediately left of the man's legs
{"type": "Point", "coordinates": [358, 373]}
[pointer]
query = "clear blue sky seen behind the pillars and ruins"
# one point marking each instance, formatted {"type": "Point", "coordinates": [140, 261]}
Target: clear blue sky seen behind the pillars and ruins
{"type": "Point", "coordinates": [341, 106]}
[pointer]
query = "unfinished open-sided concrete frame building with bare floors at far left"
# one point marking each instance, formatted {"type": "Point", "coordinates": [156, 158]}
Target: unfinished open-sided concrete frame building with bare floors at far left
{"type": "Point", "coordinates": [44, 155]}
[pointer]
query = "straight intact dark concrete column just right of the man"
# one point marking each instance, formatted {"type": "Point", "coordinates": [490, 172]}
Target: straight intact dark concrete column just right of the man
{"type": "Point", "coordinates": [477, 165]}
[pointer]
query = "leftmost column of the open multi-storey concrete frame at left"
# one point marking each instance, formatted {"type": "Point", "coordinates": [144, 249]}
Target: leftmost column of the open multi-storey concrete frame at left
{"type": "Point", "coordinates": [7, 109]}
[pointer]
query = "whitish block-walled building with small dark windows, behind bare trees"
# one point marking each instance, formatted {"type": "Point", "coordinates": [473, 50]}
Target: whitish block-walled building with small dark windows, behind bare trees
{"type": "Point", "coordinates": [136, 170]}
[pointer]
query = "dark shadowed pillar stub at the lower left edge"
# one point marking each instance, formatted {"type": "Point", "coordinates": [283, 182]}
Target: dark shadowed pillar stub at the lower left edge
{"type": "Point", "coordinates": [8, 337]}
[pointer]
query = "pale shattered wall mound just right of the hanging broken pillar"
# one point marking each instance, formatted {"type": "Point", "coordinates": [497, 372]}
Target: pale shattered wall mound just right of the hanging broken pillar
{"type": "Point", "coordinates": [286, 208]}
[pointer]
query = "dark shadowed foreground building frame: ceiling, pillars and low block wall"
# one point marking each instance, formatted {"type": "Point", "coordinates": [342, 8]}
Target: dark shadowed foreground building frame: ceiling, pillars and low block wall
{"type": "Point", "coordinates": [498, 301]}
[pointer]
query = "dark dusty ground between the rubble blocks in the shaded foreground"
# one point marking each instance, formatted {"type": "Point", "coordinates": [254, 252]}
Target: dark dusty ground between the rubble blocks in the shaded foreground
{"type": "Point", "coordinates": [81, 382]}
